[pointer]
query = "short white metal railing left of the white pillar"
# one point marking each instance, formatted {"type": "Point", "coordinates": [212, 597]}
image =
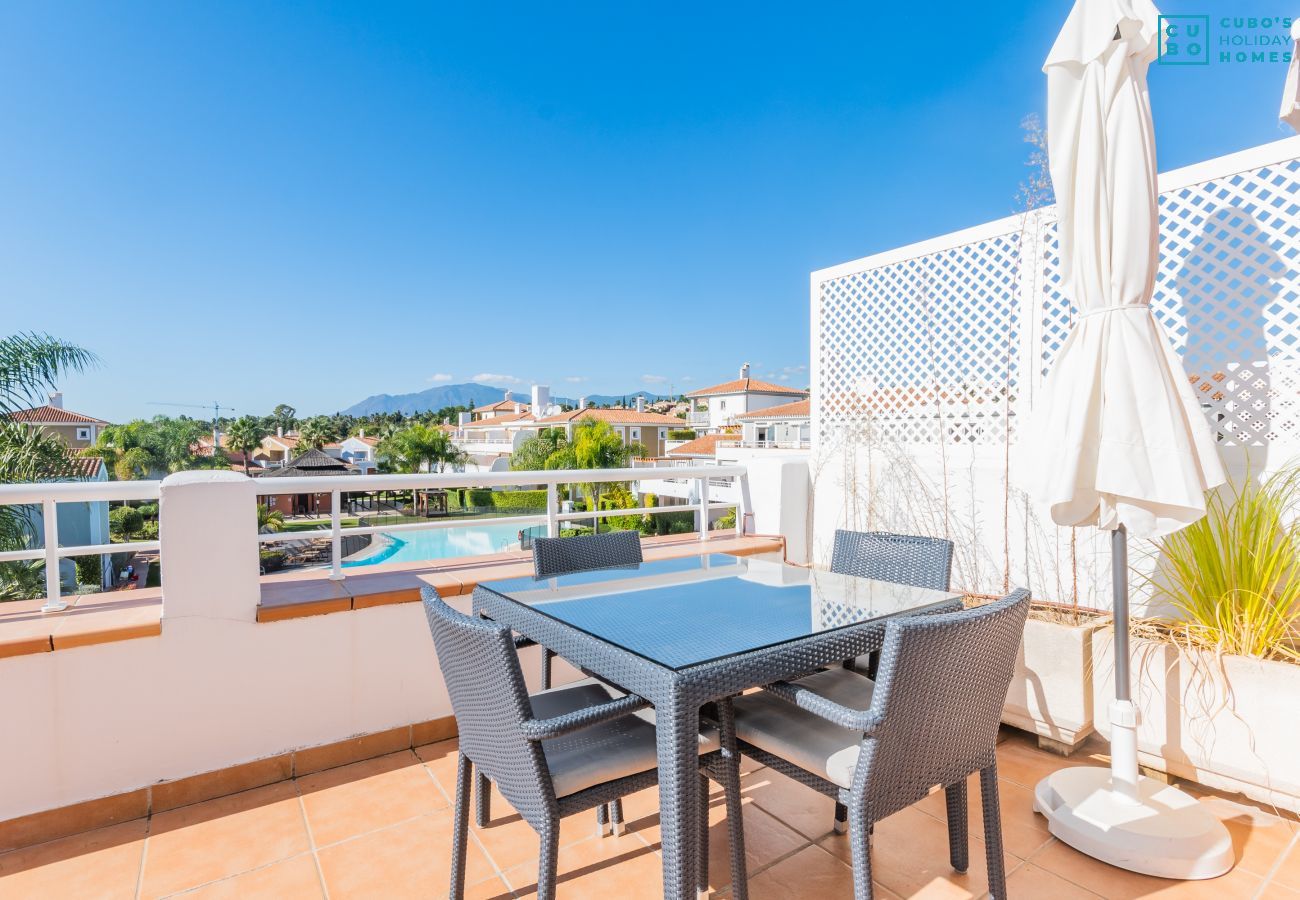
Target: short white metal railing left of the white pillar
{"type": "Point", "coordinates": [47, 496]}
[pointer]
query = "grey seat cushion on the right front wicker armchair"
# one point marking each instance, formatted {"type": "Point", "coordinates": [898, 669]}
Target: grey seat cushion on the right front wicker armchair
{"type": "Point", "coordinates": [801, 738]}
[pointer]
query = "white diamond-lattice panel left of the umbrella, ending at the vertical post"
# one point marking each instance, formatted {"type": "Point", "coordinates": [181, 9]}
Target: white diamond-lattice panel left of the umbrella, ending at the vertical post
{"type": "Point", "coordinates": [925, 349]}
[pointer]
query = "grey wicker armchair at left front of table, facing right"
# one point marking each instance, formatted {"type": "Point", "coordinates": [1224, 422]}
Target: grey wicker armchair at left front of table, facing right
{"type": "Point", "coordinates": [562, 751]}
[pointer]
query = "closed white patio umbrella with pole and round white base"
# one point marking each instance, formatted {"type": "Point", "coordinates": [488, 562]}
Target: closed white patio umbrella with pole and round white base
{"type": "Point", "coordinates": [1117, 439]}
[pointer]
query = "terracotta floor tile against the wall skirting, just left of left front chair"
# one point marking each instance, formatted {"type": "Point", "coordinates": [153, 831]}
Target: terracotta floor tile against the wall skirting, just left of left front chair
{"type": "Point", "coordinates": [352, 801]}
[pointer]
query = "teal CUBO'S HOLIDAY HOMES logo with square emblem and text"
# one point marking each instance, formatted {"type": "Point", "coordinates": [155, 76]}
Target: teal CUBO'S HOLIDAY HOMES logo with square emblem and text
{"type": "Point", "coordinates": [1236, 40]}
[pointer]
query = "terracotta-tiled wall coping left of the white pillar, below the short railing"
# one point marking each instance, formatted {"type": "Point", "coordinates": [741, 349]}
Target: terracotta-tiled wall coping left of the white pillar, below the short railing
{"type": "Point", "coordinates": [89, 620]}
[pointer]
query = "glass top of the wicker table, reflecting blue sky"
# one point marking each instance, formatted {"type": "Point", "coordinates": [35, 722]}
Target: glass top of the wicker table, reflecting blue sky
{"type": "Point", "coordinates": [682, 613]}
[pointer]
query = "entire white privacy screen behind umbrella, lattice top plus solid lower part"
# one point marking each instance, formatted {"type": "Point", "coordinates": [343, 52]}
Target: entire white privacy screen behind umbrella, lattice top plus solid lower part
{"type": "Point", "coordinates": [925, 358]}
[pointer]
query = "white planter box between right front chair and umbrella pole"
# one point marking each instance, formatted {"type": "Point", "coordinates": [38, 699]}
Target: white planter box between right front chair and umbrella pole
{"type": "Point", "coordinates": [1051, 693]}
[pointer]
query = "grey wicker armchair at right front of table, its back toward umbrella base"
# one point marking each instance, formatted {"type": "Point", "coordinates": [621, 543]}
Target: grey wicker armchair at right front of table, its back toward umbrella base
{"type": "Point", "coordinates": [878, 747]}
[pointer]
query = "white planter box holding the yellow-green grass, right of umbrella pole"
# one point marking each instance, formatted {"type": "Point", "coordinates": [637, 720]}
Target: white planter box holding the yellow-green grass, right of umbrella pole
{"type": "Point", "coordinates": [1228, 722]}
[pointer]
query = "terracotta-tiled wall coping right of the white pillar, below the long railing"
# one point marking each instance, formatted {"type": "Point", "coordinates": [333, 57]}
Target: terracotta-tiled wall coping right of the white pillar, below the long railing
{"type": "Point", "coordinates": [297, 595]}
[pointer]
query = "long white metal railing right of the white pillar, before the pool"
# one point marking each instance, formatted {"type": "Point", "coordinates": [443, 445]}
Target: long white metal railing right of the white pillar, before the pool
{"type": "Point", "coordinates": [551, 516]}
